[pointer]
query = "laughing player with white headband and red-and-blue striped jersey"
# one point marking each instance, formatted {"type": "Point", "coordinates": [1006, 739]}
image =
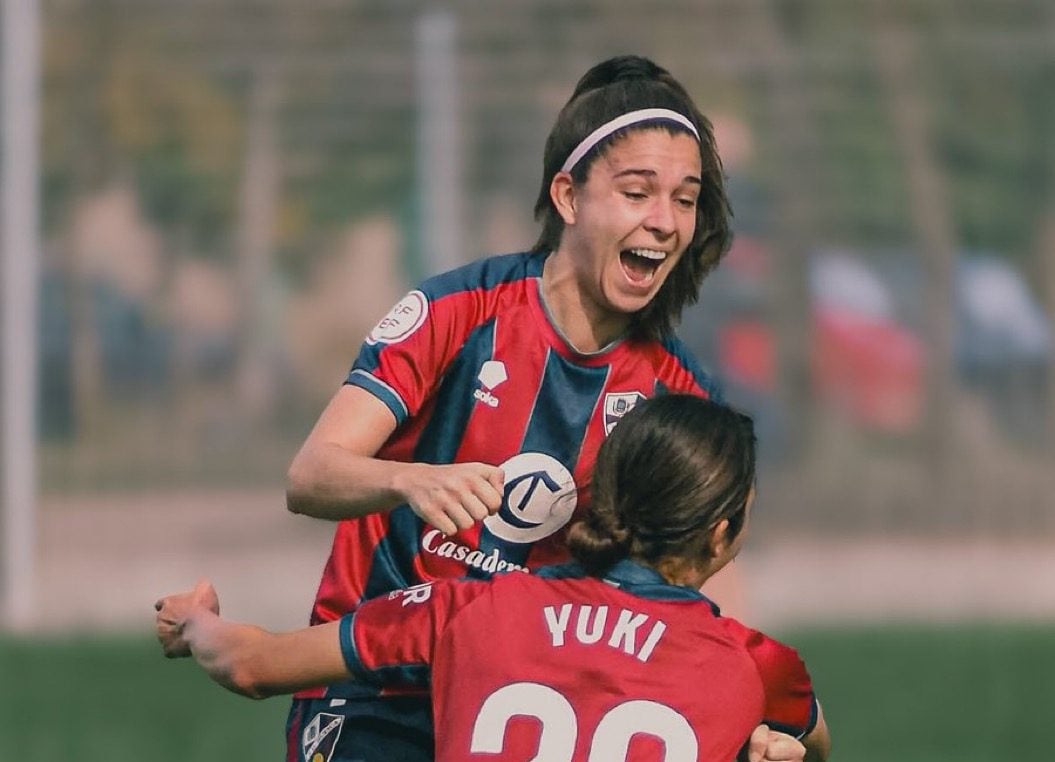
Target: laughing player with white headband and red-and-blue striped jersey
{"type": "Point", "coordinates": [469, 424]}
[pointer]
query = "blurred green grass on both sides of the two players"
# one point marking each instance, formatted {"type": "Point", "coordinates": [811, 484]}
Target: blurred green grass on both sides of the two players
{"type": "Point", "coordinates": [970, 694]}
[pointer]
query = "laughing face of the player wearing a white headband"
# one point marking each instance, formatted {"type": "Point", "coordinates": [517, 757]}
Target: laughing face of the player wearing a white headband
{"type": "Point", "coordinates": [628, 225]}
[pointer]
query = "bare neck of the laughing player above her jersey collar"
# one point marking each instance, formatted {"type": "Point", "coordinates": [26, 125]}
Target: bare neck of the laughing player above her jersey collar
{"type": "Point", "coordinates": [587, 327]}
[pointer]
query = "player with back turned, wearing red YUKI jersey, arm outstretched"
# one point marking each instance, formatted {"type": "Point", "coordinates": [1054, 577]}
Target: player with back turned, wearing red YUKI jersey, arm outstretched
{"type": "Point", "coordinates": [616, 656]}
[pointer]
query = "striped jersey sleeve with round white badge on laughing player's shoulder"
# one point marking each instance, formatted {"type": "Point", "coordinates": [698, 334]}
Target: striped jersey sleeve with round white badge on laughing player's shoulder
{"type": "Point", "coordinates": [406, 355]}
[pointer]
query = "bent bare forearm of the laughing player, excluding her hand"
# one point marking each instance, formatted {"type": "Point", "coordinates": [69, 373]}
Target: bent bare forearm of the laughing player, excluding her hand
{"type": "Point", "coordinates": [328, 482]}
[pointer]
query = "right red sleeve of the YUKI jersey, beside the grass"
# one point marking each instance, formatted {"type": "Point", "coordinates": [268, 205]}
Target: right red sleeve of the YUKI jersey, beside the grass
{"type": "Point", "coordinates": [791, 704]}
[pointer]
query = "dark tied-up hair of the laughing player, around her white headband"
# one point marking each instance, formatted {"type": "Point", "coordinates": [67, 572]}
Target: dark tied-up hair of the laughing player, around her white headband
{"type": "Point", "coordinates": [608, 91]}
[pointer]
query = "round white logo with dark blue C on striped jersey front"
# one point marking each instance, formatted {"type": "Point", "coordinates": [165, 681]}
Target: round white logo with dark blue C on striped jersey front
{"type": "Point", "coordinates": [541, 498]}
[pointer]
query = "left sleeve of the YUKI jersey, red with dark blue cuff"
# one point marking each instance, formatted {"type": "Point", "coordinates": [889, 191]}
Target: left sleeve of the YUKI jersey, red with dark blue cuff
{"type": "Point", "coordinates": [391, 641]}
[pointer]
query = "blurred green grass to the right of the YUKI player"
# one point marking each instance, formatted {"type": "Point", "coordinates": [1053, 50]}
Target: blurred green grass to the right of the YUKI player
{"type": "Point", "coordinates": [967, 693]}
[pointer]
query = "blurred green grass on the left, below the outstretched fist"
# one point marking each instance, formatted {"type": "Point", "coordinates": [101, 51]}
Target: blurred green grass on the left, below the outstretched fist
{"type": "Point", "coordinates": [116, 699]}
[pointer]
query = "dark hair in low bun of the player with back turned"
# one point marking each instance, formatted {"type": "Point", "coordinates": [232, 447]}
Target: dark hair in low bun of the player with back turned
{"type": "Point", "coordinates": [674, 468]}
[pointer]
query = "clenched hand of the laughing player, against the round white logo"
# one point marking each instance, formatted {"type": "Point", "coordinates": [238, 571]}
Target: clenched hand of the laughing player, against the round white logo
{"type": "Point", "coordinates": [452, 498]}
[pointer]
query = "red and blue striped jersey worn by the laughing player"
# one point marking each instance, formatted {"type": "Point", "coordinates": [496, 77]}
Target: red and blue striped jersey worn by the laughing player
{"type": "Point", "coordinates": [473, 370]}
